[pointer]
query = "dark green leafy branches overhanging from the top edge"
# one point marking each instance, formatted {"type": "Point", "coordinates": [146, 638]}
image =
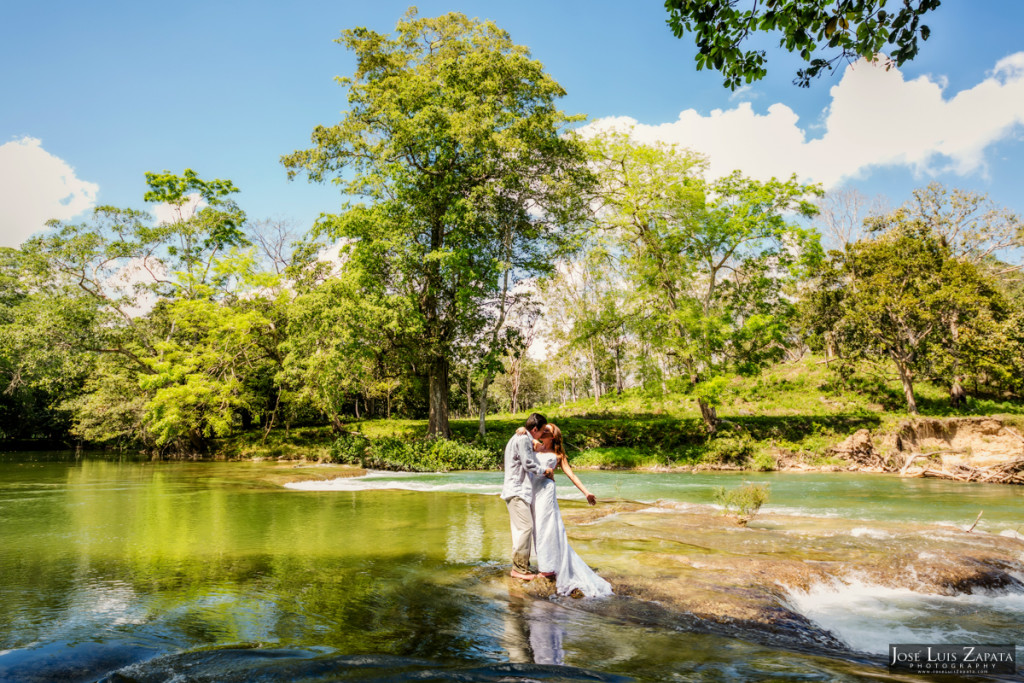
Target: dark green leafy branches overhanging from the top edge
{"type": "Point", "coordinates": [851, 28]}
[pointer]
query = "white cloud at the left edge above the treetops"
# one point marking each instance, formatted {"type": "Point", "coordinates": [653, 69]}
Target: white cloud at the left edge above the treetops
{"type": "Point", "coordinates": [36, 187]}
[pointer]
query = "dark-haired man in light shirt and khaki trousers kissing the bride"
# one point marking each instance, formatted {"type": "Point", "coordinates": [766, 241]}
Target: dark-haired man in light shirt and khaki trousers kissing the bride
{"type": "Point", "coordinates": [521, 466]}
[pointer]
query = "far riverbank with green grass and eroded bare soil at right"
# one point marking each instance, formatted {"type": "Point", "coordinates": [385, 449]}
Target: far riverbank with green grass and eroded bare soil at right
{"type": "Point", "coordinates": [792, 417]}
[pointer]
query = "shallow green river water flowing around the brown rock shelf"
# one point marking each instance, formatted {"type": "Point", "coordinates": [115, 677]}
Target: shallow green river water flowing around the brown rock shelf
{"type": "Point", "coordinates": [150, 572]}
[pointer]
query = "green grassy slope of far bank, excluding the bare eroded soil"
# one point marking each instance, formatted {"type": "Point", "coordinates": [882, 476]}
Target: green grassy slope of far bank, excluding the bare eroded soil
{"type": "Point", "coordinates": [795, 410]}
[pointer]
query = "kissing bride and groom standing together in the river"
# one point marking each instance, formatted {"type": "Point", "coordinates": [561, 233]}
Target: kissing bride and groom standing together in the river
{"type": "Point", "coordinates": [531, 459]}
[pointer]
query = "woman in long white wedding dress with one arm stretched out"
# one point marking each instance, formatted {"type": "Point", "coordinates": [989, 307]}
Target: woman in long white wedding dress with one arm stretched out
{"type": "Point", "coordinates": [554, 556]}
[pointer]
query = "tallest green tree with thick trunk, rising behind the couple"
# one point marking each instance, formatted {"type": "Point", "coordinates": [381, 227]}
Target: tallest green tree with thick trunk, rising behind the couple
{"type": "Point", "coordinates": [454, 139]}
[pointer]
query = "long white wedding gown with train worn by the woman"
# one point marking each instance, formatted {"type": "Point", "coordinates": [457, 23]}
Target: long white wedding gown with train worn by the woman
{"type": "Point", "coordinates": [553, 550]}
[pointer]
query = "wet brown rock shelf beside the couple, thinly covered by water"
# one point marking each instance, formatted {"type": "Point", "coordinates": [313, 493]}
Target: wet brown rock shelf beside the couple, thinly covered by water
{"type": "Point", "coordinates": [694, 569]}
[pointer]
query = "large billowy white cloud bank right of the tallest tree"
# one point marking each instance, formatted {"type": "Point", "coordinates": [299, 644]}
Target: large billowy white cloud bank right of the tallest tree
{"type": "Point", "coordinates": [877, 118]}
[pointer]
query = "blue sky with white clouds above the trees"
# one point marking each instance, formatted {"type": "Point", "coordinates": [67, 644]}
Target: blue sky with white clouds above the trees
{"type": "Point", "coordinates": [93, 96]}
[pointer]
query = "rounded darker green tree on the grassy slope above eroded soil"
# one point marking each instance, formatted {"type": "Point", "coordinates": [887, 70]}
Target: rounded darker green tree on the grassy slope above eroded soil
{"type": "Point", "coordinates": [905, 298]}
